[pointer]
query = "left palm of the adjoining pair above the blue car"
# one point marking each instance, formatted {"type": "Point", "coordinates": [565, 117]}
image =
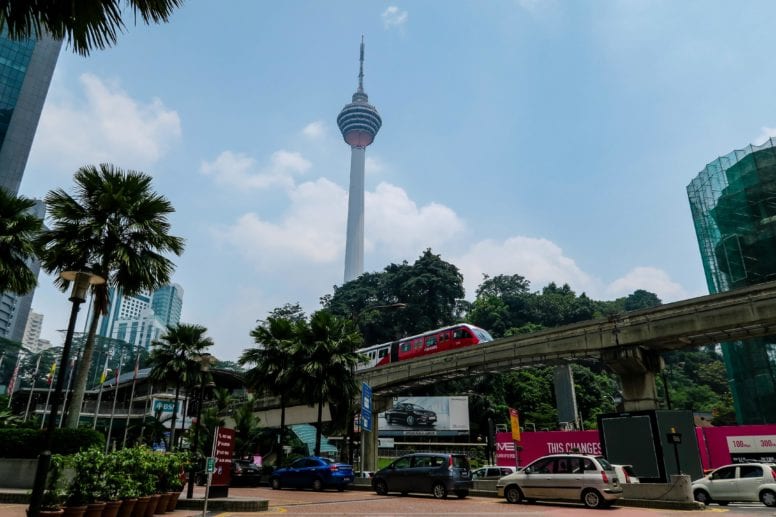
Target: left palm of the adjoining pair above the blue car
{"type": "Point", "coordinates": [273, 363]}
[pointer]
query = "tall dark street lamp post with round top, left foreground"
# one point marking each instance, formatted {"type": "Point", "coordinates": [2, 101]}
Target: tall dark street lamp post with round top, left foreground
{"type": "Point", "coordinates": [81, 282]}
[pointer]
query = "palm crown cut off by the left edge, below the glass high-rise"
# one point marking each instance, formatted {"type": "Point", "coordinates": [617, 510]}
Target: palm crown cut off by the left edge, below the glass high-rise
{"type": "Point", "coordinates": [18, 228]}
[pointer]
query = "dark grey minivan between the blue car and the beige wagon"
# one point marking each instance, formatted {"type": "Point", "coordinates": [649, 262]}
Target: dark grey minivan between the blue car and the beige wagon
{"type": "Point", "coordinates": [435, 473]}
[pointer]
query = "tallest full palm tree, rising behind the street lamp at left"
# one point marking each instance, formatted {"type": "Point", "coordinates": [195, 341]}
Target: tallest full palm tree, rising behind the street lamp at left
{"type": "Point", "coordinates": [115, 226]}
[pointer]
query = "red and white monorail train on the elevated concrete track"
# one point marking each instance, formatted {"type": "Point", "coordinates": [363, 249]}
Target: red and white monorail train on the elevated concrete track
{"type": "Point", "coordinates": [439, 340]}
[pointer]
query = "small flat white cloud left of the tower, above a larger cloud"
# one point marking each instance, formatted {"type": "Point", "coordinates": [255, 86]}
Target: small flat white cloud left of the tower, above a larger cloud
{"type": "Point", "coordinates": [239, 170]}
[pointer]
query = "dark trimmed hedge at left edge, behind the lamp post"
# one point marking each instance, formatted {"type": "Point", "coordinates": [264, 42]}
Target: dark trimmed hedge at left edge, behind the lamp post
{"type": "Point", "coordinates": [27, 443]}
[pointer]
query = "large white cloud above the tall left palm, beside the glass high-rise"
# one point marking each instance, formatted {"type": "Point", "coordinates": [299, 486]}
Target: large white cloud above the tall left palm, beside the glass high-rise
{"type": "Point", "coordinates": [104, 124]}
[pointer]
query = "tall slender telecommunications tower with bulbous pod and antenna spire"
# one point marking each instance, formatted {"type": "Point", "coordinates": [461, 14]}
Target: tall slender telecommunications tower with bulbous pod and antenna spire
{"type": "Point", "coordinates": [359, 122]}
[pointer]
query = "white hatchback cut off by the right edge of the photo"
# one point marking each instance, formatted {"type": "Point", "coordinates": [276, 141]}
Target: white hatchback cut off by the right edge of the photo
{"type": "Point", "coordinates": [738, 482]}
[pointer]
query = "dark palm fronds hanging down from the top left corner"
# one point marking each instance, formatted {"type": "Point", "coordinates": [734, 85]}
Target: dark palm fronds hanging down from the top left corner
{"type": "Point", "coordinates": [87, 24]}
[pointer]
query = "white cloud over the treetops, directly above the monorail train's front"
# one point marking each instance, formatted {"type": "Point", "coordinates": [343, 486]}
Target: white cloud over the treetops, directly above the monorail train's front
{"type": "Point", "coordinates": [539, 260]}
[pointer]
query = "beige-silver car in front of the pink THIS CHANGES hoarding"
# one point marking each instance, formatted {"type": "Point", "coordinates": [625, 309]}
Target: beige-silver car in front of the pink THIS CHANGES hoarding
{"type": "Point", "coordinates": [564, 477]}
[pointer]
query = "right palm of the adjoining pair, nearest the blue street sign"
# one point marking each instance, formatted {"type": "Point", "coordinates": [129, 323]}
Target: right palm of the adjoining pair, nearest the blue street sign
{"type": "Point", "coordinates": [328, 357]}
